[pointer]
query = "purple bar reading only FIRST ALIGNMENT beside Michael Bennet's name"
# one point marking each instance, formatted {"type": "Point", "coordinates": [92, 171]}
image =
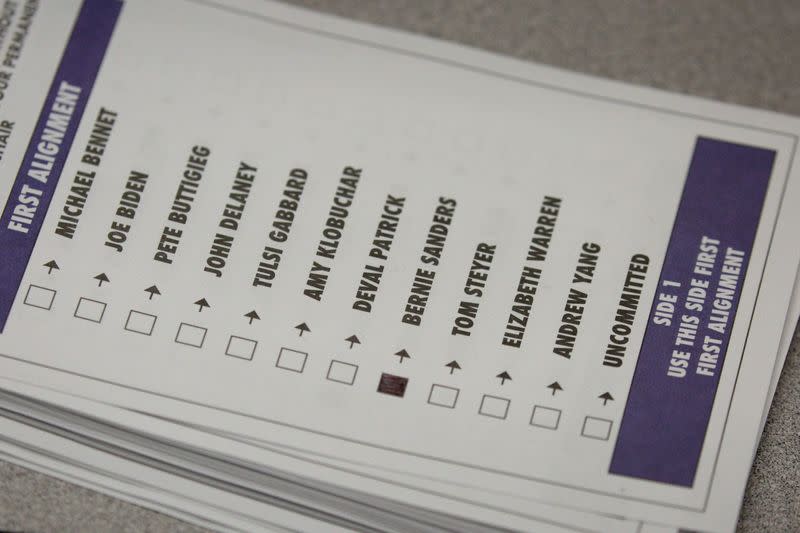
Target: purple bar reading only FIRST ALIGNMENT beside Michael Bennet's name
{"type": "Point", "coordinates": [50, 143]}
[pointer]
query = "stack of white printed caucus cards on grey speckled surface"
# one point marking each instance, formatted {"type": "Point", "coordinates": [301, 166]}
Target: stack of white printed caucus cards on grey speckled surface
{"type": "Point", "coordinates": [264, 269]}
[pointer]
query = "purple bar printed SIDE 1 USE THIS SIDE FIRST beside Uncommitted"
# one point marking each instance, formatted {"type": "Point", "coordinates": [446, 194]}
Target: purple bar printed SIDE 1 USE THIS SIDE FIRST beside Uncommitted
{"type": "Point", "coordinates": [677, 372]}
